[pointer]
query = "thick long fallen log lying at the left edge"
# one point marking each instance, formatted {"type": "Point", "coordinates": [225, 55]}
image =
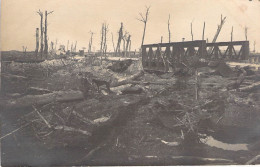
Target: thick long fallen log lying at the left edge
{"type": "Point", "coordinates": [29, 100]}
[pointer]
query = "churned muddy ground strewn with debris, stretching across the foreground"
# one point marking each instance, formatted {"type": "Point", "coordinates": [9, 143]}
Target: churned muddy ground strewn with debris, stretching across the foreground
{"type": "Point", "coordinates": [156, 119]}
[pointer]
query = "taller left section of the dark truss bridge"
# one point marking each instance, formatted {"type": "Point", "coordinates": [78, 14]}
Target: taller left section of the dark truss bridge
{"type": "Point", "coordinates": [160, 56]}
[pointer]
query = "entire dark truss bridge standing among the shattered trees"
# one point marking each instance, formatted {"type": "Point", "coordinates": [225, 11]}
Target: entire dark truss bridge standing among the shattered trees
{"type": "Point", "coordinates": [161, 56]}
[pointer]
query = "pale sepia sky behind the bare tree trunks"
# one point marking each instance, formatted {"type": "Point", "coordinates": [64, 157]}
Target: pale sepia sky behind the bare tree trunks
{"type": "Point", "coordinates": [73, 20]}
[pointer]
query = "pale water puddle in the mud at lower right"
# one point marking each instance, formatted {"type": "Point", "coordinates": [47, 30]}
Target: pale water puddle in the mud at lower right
{"type": "Point", "coordinates": [210, 141]}
